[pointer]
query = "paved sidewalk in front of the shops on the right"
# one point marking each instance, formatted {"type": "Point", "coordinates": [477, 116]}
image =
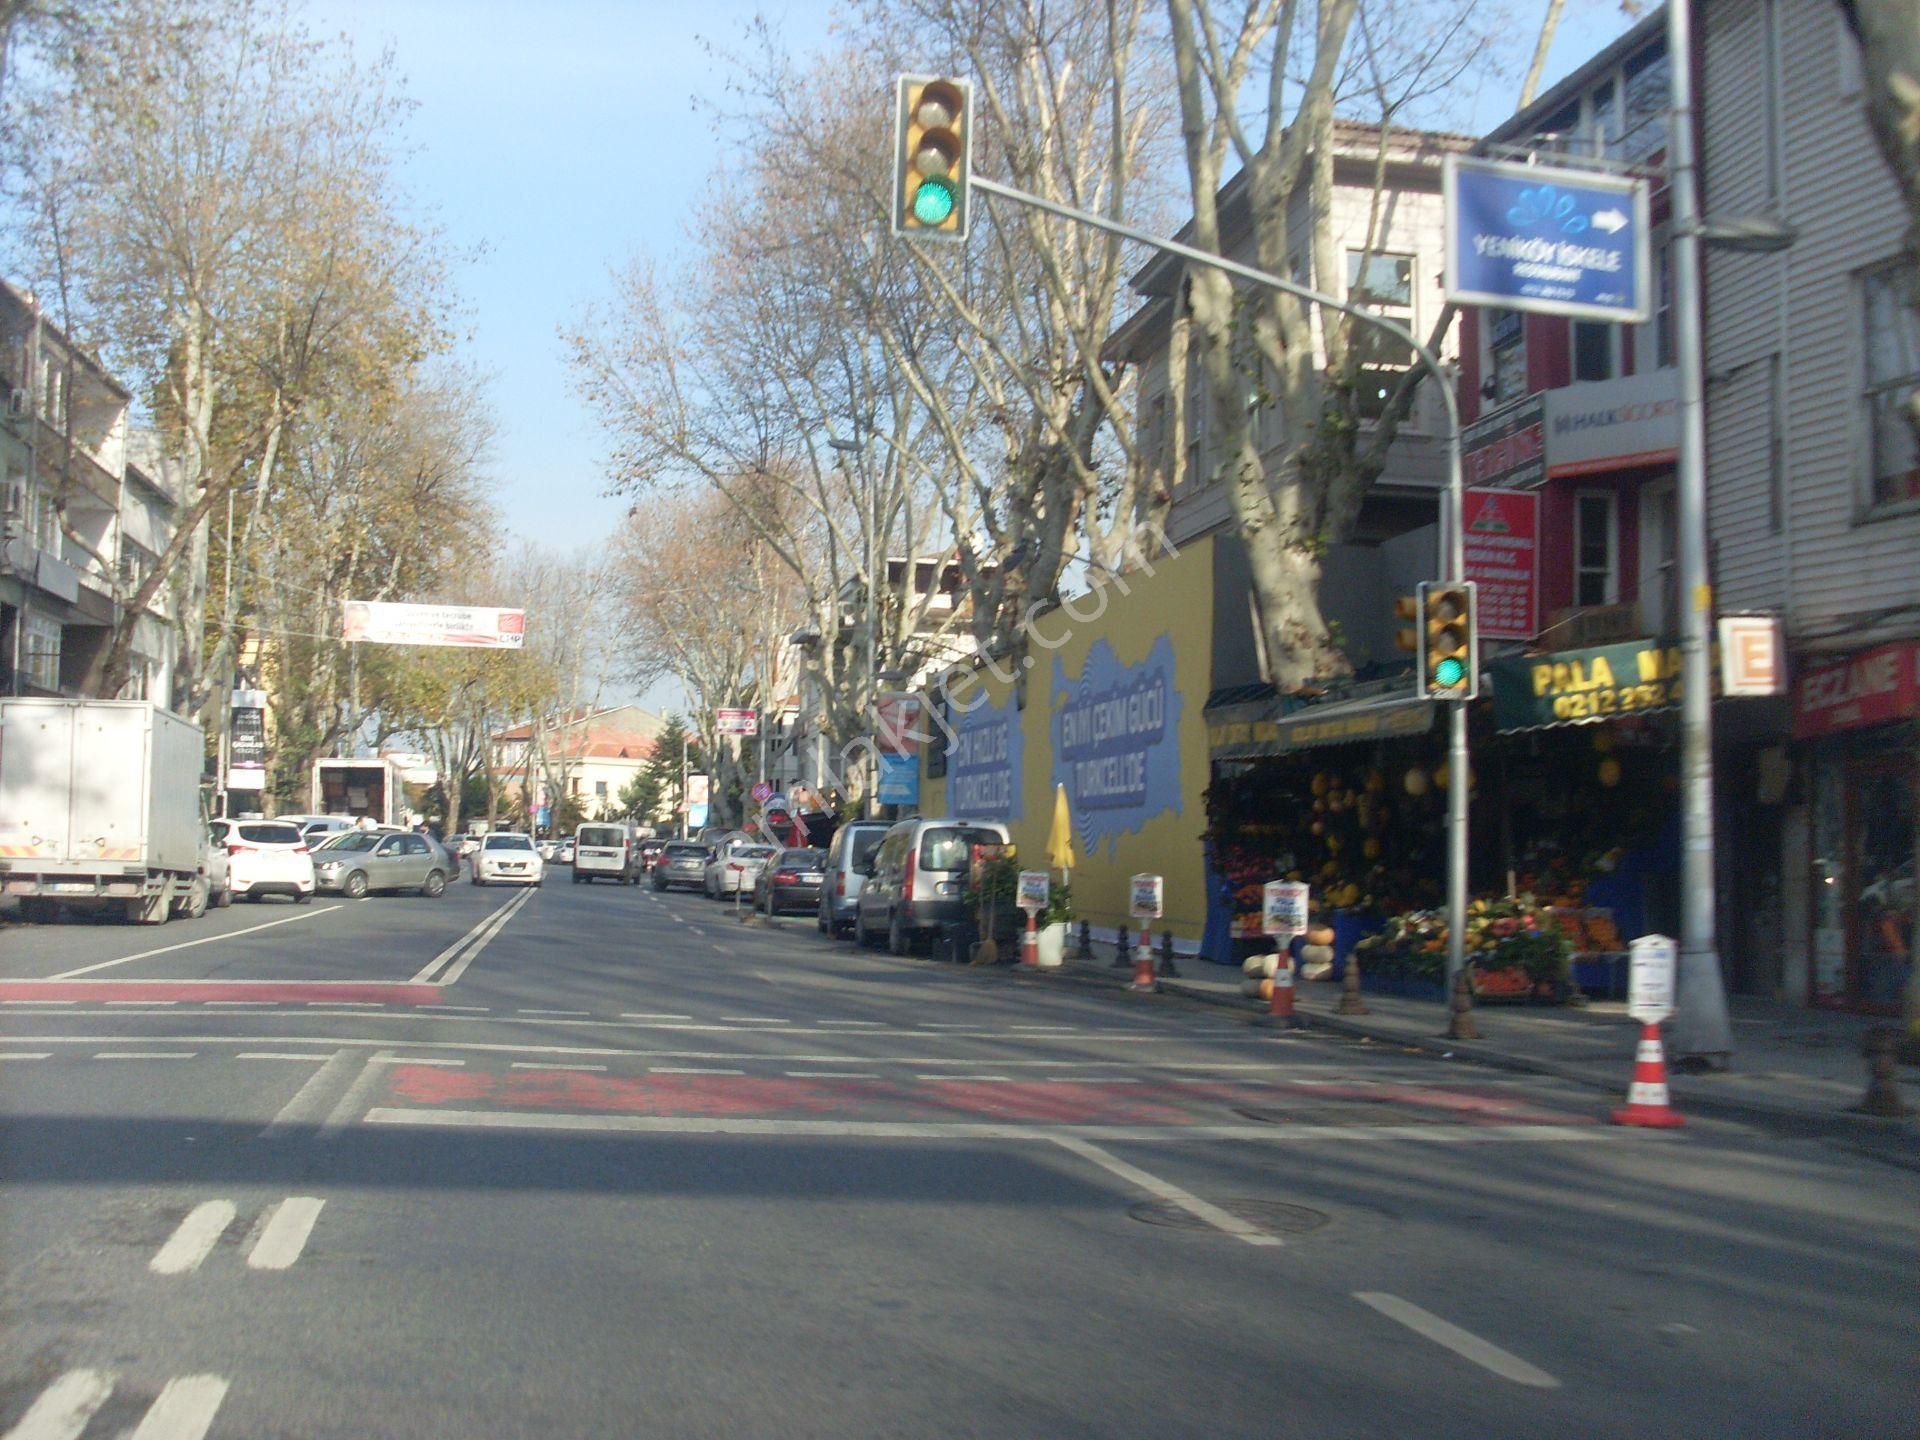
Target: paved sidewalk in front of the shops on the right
{"type": "Point", "coordinates": [1792, 1068]}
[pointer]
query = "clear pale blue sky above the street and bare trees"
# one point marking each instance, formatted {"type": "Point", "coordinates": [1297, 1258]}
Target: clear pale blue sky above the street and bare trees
{"type": "Point", "coordinates": [564, 137]}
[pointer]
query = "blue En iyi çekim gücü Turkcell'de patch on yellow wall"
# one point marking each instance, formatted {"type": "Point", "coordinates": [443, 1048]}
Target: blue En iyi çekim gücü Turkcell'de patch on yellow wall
{"type": "Point", "coordinates": [1118, 742]}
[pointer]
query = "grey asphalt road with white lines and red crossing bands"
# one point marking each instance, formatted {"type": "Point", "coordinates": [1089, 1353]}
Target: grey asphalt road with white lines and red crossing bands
{"type": "Point", "coordinates": [598, 1163]}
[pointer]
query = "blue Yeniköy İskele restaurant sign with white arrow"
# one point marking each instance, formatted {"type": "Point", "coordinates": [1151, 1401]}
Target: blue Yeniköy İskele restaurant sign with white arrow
{"type": "Point", "coordinates": [1547, 239]}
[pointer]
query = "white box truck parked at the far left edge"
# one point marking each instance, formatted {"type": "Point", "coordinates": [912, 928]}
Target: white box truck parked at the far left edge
{"type": "Point", "coordinates": [101, 809]}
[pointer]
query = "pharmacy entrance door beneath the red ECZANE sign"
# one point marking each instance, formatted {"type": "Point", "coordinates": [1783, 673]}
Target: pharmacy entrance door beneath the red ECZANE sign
{"type": "Point", "coordinates": [1881, 880]}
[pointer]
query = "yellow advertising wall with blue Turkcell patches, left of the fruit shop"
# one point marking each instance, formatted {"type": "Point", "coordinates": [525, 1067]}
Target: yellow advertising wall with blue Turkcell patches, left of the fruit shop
{"type": "Point", "coordinates": [1115, 708]}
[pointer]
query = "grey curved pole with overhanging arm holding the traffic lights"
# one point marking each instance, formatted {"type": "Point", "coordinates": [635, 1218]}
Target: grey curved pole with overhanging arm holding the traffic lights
{"type": "Point", "coordinates": [1452, 512]}
